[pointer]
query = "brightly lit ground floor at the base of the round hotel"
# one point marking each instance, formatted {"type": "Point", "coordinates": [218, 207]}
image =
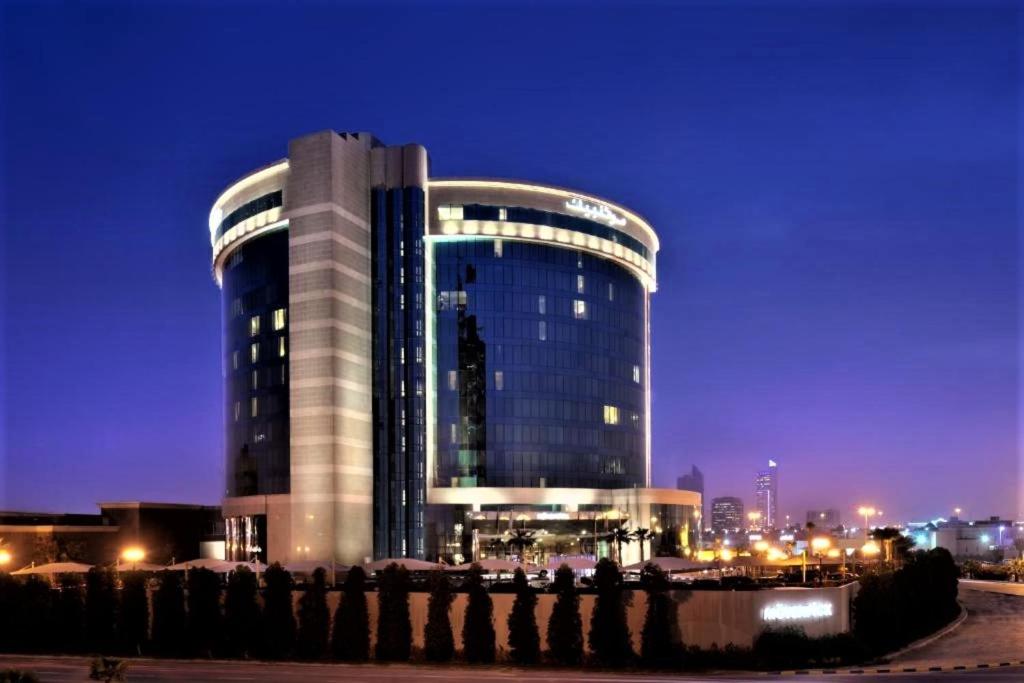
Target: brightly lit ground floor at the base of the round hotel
{"type": "Point", "coordinates": [462, 525]}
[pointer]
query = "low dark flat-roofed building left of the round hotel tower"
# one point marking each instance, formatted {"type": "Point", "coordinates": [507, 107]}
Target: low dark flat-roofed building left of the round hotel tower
{"type": "Point", "coordinates": [166, 532]}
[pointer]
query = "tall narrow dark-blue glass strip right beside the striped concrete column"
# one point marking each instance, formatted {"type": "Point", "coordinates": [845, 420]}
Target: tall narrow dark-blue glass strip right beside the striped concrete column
{"type": "Point", "coordinates": [400, 372]}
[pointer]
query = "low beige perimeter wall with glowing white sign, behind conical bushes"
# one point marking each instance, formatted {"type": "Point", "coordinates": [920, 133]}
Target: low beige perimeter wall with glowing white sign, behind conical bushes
{"type": "Point", "coordinates": [706, 618]}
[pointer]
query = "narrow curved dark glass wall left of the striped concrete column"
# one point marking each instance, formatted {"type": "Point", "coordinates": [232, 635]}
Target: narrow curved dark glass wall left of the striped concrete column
{"type": "Point", "coordinates": [255, 324]}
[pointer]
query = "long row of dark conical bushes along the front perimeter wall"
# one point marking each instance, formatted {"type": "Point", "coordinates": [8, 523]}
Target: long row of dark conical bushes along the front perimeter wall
{"type": "Point", "coordinates": [197, 617]}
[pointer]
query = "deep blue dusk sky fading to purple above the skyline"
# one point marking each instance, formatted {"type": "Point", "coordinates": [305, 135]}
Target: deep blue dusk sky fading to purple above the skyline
{"type": "Point", "coordinates": [836, 188]}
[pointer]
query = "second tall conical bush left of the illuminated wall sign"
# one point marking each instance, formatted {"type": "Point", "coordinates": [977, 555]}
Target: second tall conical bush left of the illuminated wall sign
{"type": "Point", "coordinates": [610, 632]}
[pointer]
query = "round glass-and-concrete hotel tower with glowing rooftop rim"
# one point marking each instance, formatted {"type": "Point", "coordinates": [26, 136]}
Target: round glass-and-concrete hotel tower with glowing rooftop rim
{"type": "Point", "coordinates": [420, 367]}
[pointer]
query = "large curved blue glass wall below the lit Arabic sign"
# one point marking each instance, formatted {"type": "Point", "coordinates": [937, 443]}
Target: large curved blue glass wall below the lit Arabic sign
{"type": "Point", "coordinates": [540, 367]}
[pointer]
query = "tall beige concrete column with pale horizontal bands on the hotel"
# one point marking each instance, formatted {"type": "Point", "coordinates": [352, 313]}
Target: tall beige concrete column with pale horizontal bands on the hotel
{"type": "Point", "coordinates": [328, 206]}
